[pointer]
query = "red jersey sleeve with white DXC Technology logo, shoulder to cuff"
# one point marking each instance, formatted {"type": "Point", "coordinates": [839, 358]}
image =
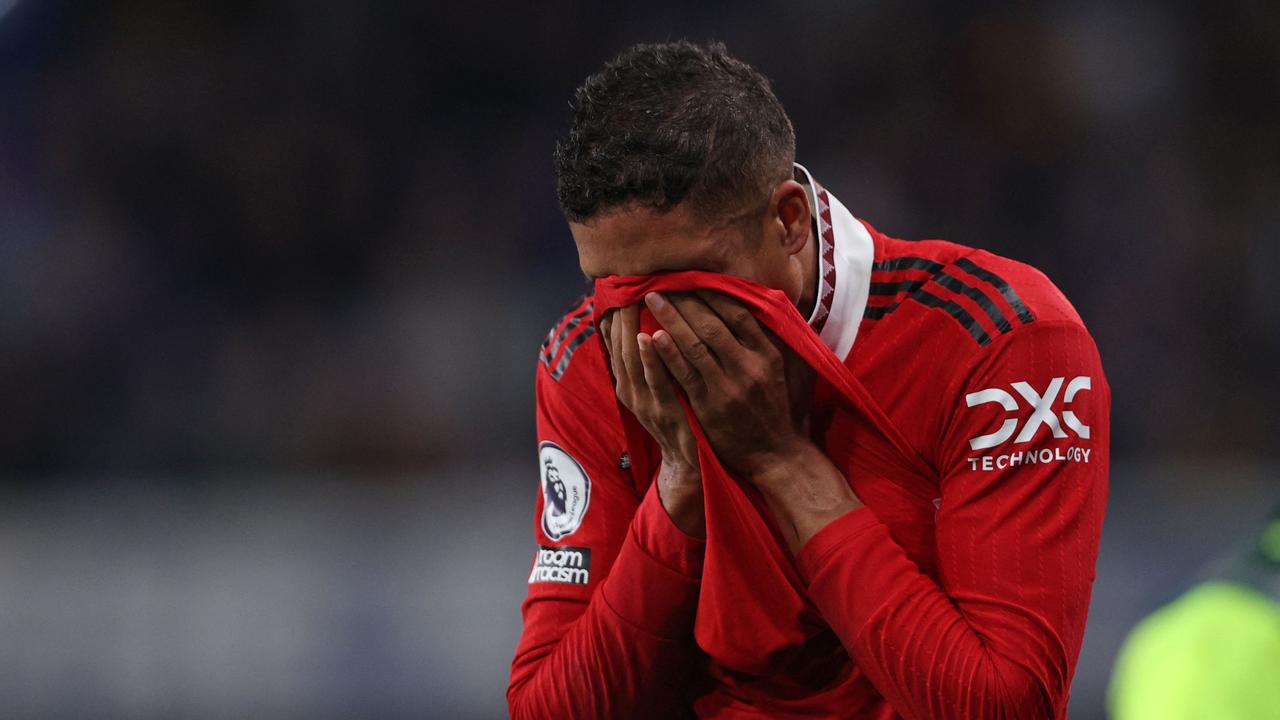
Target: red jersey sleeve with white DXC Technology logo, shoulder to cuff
{"type": "Point", "coordinates": [1023, 466]}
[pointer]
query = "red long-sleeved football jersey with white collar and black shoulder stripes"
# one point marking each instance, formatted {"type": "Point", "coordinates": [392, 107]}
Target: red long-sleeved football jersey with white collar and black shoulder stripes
{"type": "Point", "coordinates": [961, 590]}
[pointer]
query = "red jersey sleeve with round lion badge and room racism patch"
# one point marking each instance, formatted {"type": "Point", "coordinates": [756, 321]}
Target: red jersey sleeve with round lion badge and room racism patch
{"type": "Point", "coordinates": [614, 584]}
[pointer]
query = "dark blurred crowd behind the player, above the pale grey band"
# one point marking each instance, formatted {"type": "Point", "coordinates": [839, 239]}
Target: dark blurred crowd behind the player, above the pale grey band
{"type": "Point", "coordinates": [299, 235]}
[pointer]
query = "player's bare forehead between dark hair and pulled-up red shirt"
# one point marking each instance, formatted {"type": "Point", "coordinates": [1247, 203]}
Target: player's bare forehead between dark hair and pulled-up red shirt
{"type": "Point", "coordinates": [638, 241]}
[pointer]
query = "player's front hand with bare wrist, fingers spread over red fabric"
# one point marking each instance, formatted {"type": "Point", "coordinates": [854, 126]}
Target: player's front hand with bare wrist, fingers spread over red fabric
{"type": "Point", "coordinates": [752, 397]}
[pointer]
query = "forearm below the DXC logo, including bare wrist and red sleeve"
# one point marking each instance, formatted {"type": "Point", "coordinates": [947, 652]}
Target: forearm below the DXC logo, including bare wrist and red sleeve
{"type": "Point", "coordinates": [906, 632]}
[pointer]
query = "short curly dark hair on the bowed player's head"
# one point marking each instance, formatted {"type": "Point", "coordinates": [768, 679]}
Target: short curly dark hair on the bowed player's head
{"type": "Point", "coordinates": [669, 124]}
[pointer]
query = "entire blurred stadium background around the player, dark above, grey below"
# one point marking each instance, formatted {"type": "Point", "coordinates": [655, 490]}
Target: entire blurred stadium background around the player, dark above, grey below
{"type": "Point", "coordinates": [273, 276]}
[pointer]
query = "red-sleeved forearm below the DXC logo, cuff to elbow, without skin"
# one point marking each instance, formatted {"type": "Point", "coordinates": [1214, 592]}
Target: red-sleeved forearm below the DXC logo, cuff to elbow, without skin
{"type": "Point", "coordinates": [926, 657]}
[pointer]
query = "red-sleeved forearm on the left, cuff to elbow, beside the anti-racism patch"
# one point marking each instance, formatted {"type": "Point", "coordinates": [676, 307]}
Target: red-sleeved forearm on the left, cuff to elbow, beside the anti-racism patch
{"type": "Point", "coordinates": [627, 655]}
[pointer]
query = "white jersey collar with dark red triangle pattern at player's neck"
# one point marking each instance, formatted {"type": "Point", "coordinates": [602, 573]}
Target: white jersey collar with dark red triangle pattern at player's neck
{"type": "Point", "coordinates": [845, 257]}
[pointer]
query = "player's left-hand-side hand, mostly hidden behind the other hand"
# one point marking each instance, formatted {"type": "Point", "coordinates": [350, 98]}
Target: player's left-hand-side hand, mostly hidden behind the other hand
{"type": "Point", "coordinates": [650, 393]}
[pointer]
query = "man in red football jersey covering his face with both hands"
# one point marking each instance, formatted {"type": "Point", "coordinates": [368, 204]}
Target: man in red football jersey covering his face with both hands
{"type": "Point", "coordinates": [945, 577]}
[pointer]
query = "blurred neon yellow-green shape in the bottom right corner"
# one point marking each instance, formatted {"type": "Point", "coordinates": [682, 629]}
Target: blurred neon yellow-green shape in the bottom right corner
{"type": "Point", "coordinates": [1214, 654]}
